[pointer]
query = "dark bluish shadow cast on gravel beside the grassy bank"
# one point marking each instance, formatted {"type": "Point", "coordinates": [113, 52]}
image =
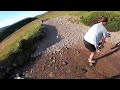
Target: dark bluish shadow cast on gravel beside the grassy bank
{"type": "Point", "coordinates": [51, 38]}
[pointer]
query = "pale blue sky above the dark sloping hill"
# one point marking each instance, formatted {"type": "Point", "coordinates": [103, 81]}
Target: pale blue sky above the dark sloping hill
{"type": "Point", "coordinates": [10, 17]}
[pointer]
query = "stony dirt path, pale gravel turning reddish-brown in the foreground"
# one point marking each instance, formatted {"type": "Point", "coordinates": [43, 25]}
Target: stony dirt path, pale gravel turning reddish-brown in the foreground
{"type": "Point", "coordinates": [63, 56]}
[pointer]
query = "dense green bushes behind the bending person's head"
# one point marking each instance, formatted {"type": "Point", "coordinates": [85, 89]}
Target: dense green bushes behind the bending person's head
{"type": "Point", "coordinates": [113, 19]}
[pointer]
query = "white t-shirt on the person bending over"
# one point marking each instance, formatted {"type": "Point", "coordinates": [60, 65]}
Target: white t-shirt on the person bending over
{"type": "Point", "coordinates": [95, 34]}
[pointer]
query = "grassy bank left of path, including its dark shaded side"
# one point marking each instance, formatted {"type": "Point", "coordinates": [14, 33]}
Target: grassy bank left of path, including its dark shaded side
{"type": "Point", "coordinates": [16, 50]}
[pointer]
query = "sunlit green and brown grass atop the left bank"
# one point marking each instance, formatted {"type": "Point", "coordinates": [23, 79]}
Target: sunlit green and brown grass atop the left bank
{"type": "Point", "coordinates": [12, 43]}
